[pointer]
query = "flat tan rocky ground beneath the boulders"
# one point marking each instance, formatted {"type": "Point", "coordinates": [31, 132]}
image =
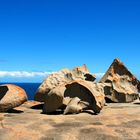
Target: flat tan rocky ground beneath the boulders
{"type": "Point", "coordinates": [120, 121]}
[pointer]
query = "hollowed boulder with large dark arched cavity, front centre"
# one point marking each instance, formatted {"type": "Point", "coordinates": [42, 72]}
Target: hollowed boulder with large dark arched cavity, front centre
{"type": "Point", "coordinates": [91, 96]}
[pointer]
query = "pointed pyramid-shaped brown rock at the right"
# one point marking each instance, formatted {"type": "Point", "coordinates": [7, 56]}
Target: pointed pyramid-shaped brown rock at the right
{"type": "Point", "coordinates": [124, 83]}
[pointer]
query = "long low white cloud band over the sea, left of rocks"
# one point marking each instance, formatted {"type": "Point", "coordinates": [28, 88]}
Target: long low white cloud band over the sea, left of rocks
{"type": "Point", "coordinates": [23, 74]}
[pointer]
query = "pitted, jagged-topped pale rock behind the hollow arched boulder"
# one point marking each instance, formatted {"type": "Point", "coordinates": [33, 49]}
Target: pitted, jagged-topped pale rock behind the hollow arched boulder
{"type": "Point", "coordinates": [62, 77]}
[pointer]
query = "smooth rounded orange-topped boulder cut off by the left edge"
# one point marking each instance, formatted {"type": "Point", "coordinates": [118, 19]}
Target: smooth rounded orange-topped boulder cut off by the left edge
{"type": "Point", "coordinates": [11, 96]}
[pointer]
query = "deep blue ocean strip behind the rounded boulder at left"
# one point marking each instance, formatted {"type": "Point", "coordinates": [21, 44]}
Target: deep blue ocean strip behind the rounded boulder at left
{"type": "Point", "coordinates": [30, 88]}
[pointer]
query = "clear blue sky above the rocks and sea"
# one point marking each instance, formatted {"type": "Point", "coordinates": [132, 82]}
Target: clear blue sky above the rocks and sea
{"type": "Point", "coordinates": [48, 35]}
